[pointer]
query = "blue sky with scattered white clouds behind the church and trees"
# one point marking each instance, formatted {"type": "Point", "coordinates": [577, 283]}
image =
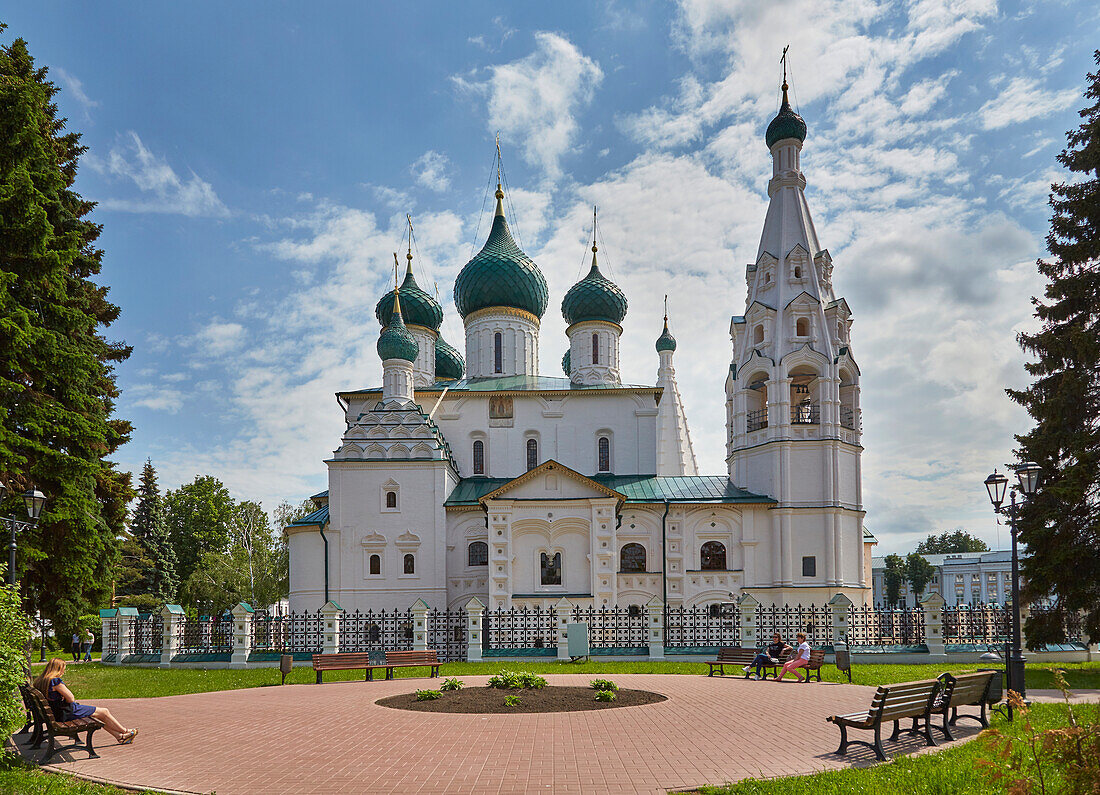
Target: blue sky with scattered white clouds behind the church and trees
{"type": "Point", "coordinates": [254, 163]}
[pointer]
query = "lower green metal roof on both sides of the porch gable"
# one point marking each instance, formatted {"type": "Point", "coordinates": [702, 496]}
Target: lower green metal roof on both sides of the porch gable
{"type": "Point", "coordinates": [637, 489]}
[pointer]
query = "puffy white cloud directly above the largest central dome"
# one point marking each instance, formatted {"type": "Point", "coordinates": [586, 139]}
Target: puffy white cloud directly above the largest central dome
{"type": "Point", "coordinates": [533, 102]}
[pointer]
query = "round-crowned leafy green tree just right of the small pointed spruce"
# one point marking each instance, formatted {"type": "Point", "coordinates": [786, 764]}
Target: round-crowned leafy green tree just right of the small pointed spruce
{"type": "Point", "coordinates": [197, 516]}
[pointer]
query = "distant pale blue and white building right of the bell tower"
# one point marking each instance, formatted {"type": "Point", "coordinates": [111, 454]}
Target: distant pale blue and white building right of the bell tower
{"type": "Point", "coordinates": [961, 578]}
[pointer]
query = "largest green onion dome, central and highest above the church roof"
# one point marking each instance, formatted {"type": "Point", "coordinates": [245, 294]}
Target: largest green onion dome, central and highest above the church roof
{"type": "Point", "coordinates": [501, 275]}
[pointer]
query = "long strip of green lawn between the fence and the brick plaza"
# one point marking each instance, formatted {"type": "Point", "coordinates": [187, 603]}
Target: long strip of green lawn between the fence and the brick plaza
{"type": "Point", "coordinates": [91, 681]}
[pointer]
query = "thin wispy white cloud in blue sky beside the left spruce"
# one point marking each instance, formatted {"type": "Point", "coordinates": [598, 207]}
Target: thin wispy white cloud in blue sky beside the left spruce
{"type": "Point", "coordinates": [162, 190]}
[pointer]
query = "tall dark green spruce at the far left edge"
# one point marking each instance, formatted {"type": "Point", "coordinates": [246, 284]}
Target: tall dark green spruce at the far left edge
{"type": "Point", "coordinates": [58, 391]}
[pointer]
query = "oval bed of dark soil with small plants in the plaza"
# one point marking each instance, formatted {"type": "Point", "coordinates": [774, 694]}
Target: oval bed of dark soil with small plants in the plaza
{"type": "Point", "coordinates": [474, 700]}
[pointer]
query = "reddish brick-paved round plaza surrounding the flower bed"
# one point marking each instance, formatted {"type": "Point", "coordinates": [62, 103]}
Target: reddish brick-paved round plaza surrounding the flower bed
{"type": "Point", "coordinates": [335, 739]}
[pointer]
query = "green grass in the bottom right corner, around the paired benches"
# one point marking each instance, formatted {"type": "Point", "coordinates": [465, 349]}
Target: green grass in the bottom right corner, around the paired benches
{"type": "Point", "coordinates": [953, 770]}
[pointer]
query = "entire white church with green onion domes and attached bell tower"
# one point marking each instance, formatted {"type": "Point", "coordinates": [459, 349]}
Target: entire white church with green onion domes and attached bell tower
{"type": "Point", "coordinates": [487, 478]}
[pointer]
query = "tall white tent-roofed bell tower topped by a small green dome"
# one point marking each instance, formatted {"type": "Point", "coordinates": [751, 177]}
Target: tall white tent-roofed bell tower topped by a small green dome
{"type": "Point", "coordinates": [793, 396]}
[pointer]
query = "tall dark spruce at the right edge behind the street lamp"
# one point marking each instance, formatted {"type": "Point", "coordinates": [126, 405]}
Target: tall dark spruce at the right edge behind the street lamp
{"type": "Point", "coordinates": [1061, 526]}
